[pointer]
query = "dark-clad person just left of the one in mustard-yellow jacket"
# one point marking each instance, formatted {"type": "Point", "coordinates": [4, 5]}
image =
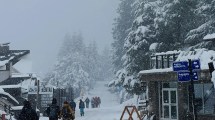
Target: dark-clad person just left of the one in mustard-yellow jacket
{"type": "Point", "coordinates": [53, 111]}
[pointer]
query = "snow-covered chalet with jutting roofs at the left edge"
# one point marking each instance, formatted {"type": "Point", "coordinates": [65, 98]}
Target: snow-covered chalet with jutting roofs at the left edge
{"type": "Point", "coordinates": [10, 76]}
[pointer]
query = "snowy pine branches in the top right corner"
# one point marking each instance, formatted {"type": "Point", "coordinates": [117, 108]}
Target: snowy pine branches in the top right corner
{"type": "Point", "coordinates": [205, 11]}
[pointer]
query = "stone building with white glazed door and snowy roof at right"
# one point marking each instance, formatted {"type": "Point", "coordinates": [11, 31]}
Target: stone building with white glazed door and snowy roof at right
{"type": "Point", "coordinates": [169, 98]}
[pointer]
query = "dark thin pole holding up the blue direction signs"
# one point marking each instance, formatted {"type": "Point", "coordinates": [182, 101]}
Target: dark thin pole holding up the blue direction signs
{"type": "Point", "coordinates": [191, 93]}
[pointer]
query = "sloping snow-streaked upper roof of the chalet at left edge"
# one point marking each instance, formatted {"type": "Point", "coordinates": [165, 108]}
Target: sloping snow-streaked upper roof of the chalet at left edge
{"type": "Point", "coordinates": [12, 56]}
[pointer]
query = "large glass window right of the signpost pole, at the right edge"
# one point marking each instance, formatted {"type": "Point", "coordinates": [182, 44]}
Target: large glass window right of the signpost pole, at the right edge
{"type": "Point", "coordinates": [205, 98]}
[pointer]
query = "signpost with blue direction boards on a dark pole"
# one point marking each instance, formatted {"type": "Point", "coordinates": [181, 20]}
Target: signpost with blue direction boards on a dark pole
{"type": "Point", "coordinates": [186, 72]}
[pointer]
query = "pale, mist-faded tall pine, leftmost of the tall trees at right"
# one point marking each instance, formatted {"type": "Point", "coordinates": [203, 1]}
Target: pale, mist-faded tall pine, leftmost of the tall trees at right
{"type": "Point", "coordinates": [121, 29]}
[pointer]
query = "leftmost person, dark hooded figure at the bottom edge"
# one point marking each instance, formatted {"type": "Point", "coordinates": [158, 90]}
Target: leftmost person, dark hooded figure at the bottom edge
{"type": "Point", "coordinates": [28, 113]}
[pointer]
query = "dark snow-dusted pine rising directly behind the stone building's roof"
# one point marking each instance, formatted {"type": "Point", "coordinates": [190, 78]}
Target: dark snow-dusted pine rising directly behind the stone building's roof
{"type": "Point", "coordinates": [174, 20]}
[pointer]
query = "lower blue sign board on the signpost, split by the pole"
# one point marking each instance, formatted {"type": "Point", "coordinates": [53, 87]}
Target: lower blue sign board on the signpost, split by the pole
{"type": "Point", "coordinates": [185, 76]}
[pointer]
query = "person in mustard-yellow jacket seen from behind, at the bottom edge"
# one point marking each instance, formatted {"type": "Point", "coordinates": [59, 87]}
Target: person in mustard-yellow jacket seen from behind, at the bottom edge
{"type": "Point", "coordinates": [67, 113]}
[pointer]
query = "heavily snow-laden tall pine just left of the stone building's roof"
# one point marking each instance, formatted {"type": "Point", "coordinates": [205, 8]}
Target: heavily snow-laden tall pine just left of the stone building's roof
{"type": "Point", "coordinates": [137, 44]}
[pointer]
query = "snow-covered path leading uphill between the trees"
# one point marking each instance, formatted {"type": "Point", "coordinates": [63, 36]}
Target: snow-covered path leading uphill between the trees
{"type": "Point", "coordinates": [110, 108]}
